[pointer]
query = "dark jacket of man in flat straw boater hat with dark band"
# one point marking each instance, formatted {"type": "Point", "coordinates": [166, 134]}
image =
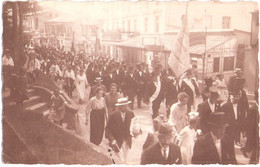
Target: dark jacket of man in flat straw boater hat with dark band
{"type": "Point", "coordinates": [118, 130]}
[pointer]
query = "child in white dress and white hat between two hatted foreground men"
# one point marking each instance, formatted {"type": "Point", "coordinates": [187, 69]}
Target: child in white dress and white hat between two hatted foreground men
{"type": "Point", "coordinates": [187, 138]}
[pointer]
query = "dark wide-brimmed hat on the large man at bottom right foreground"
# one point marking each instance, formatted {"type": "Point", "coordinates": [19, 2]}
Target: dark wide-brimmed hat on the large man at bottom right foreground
{"type": "Point", "coordinates": [217, 120]}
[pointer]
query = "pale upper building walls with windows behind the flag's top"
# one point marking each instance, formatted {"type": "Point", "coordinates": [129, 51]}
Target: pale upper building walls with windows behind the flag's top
{"type": "Point", "coordinates": [200, 15]}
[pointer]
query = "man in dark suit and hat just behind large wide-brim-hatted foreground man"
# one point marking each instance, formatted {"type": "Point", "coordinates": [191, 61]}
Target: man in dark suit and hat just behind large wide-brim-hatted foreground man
{"type": "Point", "coordinates": [206, 108]}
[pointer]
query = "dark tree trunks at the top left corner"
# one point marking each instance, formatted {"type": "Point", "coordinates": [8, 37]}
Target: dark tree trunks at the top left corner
{"type": "Point", "coordinates": [13, 37]}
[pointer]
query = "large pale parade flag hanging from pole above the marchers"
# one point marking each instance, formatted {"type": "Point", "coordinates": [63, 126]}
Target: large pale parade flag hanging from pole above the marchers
{"type": "Point", "coordinates": [179, 60]}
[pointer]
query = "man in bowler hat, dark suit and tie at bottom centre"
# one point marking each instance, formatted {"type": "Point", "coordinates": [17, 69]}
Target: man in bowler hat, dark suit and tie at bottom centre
{"type": "Point", "coordinates": [164, 151]}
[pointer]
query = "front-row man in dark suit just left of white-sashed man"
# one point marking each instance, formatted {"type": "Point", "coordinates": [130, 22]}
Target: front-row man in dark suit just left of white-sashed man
{"type": "Point", "coordinates": [140, 79]}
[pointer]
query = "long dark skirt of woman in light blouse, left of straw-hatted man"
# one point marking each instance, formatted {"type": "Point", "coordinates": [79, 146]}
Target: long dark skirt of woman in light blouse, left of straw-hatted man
{"type": "Point", "coordinates": [97, 126]}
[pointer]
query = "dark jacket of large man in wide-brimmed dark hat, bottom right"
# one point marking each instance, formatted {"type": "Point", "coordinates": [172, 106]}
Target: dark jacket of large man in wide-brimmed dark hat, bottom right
{"type": "Point", "coordinates": [205, 152]}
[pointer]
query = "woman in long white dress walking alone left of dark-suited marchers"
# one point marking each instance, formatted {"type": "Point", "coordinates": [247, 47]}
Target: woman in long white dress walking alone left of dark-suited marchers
{"type": "Point", "coordinates": [81, 83]}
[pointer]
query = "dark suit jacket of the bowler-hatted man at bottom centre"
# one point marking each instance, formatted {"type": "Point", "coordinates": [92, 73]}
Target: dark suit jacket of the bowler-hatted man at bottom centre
{"type": "Point", "coordinates": [153, 155]}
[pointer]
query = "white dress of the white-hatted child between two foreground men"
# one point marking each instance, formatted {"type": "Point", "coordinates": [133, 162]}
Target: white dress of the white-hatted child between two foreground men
{"type": "Point", "coordinates": [186, 139]}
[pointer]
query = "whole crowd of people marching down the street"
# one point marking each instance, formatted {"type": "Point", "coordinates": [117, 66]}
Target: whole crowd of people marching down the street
{"type": "Point", "coordinates": [189, 133]}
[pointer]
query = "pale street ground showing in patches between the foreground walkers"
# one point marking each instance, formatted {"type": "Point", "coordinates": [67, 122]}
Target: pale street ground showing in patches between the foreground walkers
{"type": "Point", "coordinates": [144, 114]}
